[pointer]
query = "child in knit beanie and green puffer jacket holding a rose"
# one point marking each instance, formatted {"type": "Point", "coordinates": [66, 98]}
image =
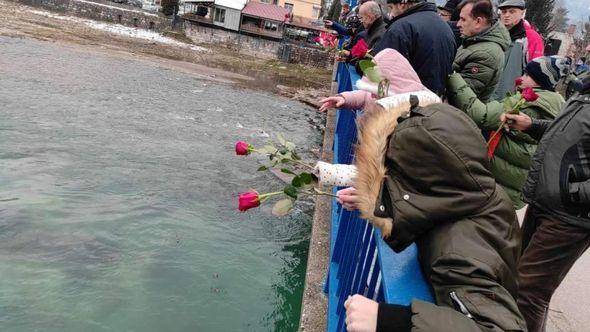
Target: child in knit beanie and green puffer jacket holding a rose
{"type": "Point", "coordinates": [511, 157]}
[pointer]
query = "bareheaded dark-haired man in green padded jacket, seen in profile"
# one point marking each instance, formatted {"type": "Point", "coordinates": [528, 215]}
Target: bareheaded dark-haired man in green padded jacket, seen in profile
{"type": "Point", "coordinates": [480, 58]}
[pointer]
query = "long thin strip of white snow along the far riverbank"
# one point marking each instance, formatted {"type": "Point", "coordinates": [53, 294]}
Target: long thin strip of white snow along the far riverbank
{"type": "Point", "coordinates": [121, 30]}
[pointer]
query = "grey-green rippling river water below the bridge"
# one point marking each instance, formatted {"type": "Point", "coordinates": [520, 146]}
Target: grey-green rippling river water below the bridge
{"type": "Point", "coordinates": [118, 198]}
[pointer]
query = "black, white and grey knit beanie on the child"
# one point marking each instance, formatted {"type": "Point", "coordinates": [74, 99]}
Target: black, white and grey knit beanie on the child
{"type": "Point", "coordinates": [547, 70]}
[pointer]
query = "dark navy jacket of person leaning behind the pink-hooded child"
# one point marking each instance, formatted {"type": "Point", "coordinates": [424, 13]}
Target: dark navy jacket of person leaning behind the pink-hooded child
{"type": "Point", "coordinates": [426, 41]}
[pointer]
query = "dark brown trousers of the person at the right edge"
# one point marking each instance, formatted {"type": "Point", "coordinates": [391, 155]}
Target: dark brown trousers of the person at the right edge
{"type": "Point", "coordinates": [550, 249]}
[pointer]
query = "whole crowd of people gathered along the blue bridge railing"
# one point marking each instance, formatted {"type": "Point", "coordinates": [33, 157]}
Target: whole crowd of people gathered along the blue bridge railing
{"type": "Point", "coordinates": [442, 161]}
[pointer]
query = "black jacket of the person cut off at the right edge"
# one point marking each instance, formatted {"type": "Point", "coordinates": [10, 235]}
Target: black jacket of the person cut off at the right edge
{"type": "Point", "coordinates": [559, 179]}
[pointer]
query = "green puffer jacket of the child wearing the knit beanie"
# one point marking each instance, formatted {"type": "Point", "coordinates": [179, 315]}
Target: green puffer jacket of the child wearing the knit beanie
{"type": "Point", "coordinates": [513, 155]}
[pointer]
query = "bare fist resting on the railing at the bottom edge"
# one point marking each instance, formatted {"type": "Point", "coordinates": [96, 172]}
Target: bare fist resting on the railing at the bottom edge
{"type": "Point", "coordinates": [361, 314]}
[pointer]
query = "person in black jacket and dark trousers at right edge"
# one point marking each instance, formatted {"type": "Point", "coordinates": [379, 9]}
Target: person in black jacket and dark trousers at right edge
{"type": "Point", "coordinates": [556, 229]}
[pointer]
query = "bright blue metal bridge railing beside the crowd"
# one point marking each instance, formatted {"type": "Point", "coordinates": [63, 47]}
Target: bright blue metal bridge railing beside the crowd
{"type": "Point", "coordinates": [360, 261]}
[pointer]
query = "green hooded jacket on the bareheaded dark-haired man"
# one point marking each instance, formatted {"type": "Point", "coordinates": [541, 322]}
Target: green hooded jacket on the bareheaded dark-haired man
{"type": "Point", "coordinates": [480, 60]}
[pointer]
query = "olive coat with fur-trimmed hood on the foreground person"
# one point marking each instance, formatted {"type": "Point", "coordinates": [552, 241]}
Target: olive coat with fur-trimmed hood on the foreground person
{"type": "Point", "coordinates": [429, 178]}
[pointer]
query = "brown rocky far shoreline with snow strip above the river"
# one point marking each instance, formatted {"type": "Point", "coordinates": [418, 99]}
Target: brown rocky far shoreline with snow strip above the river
{"type": "Point", "coordinates": [205, 61]}
